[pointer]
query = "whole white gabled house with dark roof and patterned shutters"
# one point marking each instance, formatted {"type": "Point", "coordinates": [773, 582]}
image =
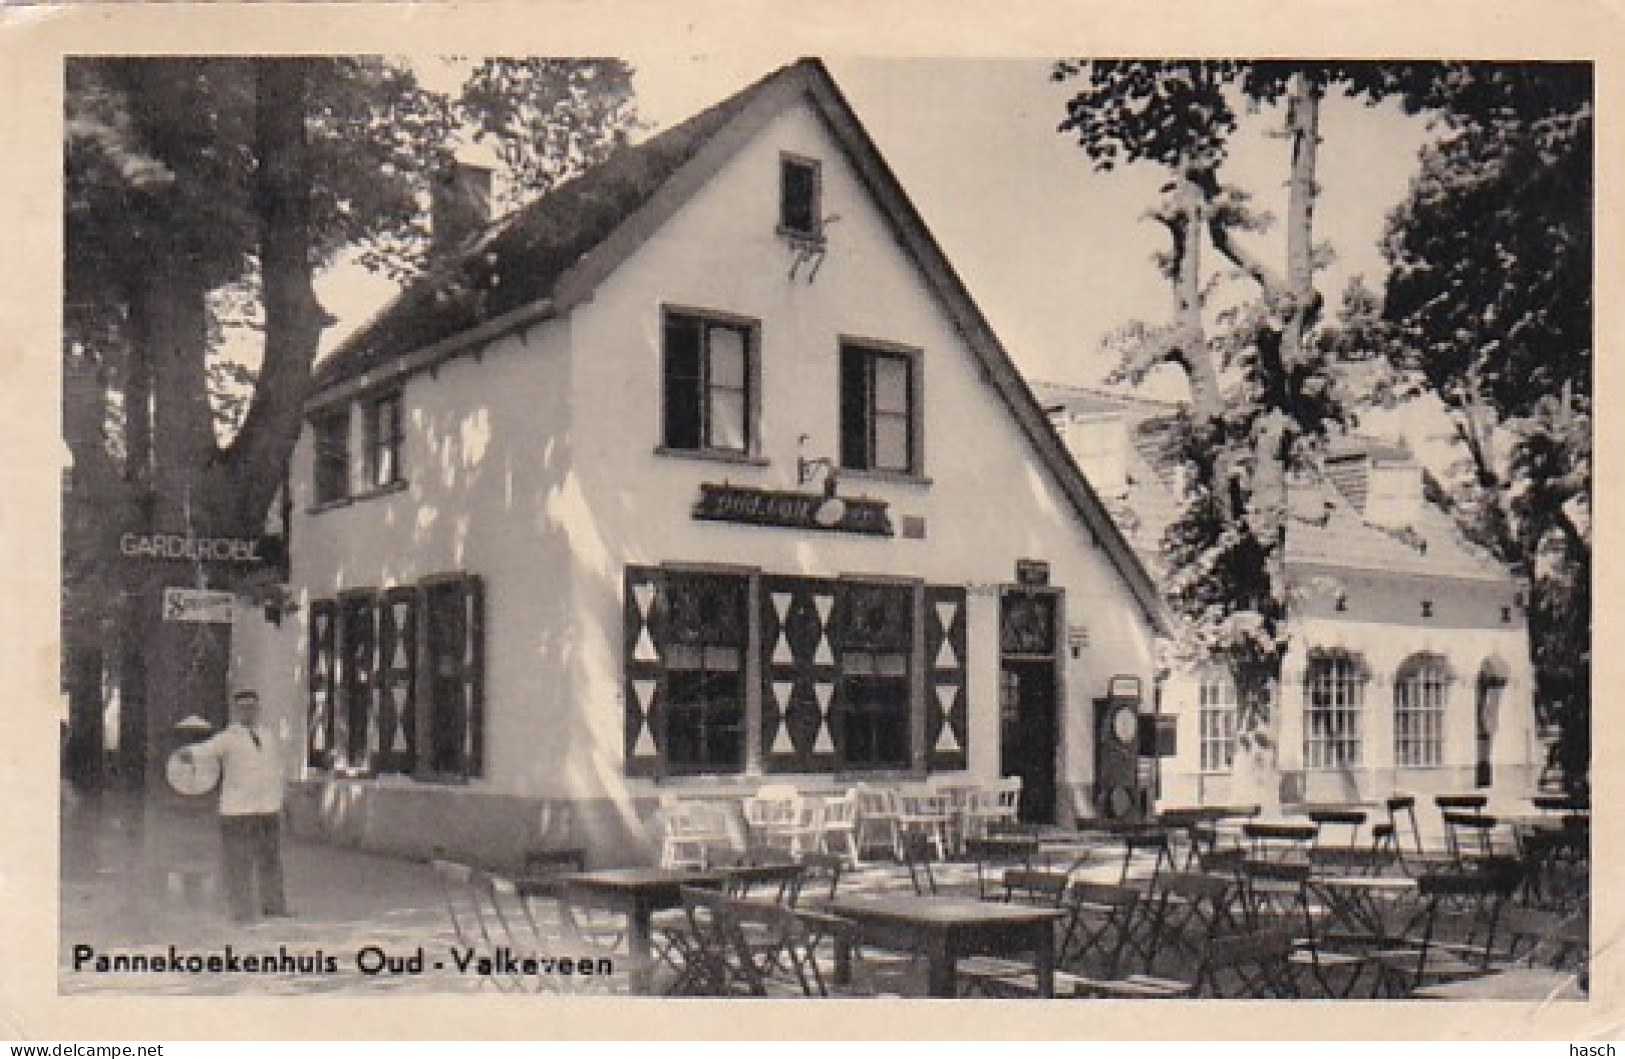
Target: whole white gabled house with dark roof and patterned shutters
{"type": "Point", "coordinates": [703, 472]}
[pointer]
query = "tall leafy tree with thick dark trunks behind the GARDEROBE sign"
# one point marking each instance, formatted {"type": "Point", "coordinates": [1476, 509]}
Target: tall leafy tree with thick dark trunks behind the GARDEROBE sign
{"type": "Point", "coordinates": [191, 176]}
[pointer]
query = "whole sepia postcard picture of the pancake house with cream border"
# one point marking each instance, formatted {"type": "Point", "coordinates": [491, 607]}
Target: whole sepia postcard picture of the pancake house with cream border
{"type": "Point", "coordinates": [599, 529]}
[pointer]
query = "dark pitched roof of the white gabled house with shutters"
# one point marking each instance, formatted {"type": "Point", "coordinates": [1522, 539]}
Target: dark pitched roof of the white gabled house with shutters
{"type": "Point", "coordinates": [553, 254]}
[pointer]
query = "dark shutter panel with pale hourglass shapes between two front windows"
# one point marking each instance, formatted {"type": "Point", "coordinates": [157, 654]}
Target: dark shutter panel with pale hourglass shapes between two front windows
{"type": "Point", "coordinates": [799, 675]}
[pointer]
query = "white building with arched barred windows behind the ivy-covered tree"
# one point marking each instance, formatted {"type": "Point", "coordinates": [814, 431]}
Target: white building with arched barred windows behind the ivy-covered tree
{"type": "Point", "coordinates": [1410, 668]}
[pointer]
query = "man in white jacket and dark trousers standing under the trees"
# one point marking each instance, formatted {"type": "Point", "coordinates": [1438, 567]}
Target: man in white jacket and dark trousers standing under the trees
{"type": "Point", "coordinates": [251, 808]}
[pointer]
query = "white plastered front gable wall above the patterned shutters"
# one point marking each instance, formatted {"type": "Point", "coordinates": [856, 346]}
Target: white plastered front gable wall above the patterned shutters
{"type": "Point", "coordinates": [989, 501]}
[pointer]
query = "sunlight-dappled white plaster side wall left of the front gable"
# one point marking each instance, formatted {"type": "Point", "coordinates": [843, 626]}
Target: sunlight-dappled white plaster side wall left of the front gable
{"type": "Point", "coordinates": [488, 462]}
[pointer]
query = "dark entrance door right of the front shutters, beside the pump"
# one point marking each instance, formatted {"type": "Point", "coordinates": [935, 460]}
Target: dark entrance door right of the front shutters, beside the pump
{"type": "Point", "coordinates": [1028, 701]}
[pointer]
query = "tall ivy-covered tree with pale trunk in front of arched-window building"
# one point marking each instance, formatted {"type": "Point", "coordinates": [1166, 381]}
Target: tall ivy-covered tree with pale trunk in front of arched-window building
{"type": "Point", "coordinates": [1262, 392]}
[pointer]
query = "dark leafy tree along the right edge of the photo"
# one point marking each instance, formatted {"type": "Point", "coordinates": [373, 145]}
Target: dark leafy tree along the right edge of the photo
{"type": "Point", "coordinates": [1489, 306]}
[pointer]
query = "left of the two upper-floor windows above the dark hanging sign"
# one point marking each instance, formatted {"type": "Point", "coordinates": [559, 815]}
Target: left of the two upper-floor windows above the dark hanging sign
{"type": "Point", "coordinates": [711, 383]}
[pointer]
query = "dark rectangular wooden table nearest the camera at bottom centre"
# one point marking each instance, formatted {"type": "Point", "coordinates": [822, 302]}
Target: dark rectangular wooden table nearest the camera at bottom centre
{"type": "Point", "coordinates": [943, 930]}
